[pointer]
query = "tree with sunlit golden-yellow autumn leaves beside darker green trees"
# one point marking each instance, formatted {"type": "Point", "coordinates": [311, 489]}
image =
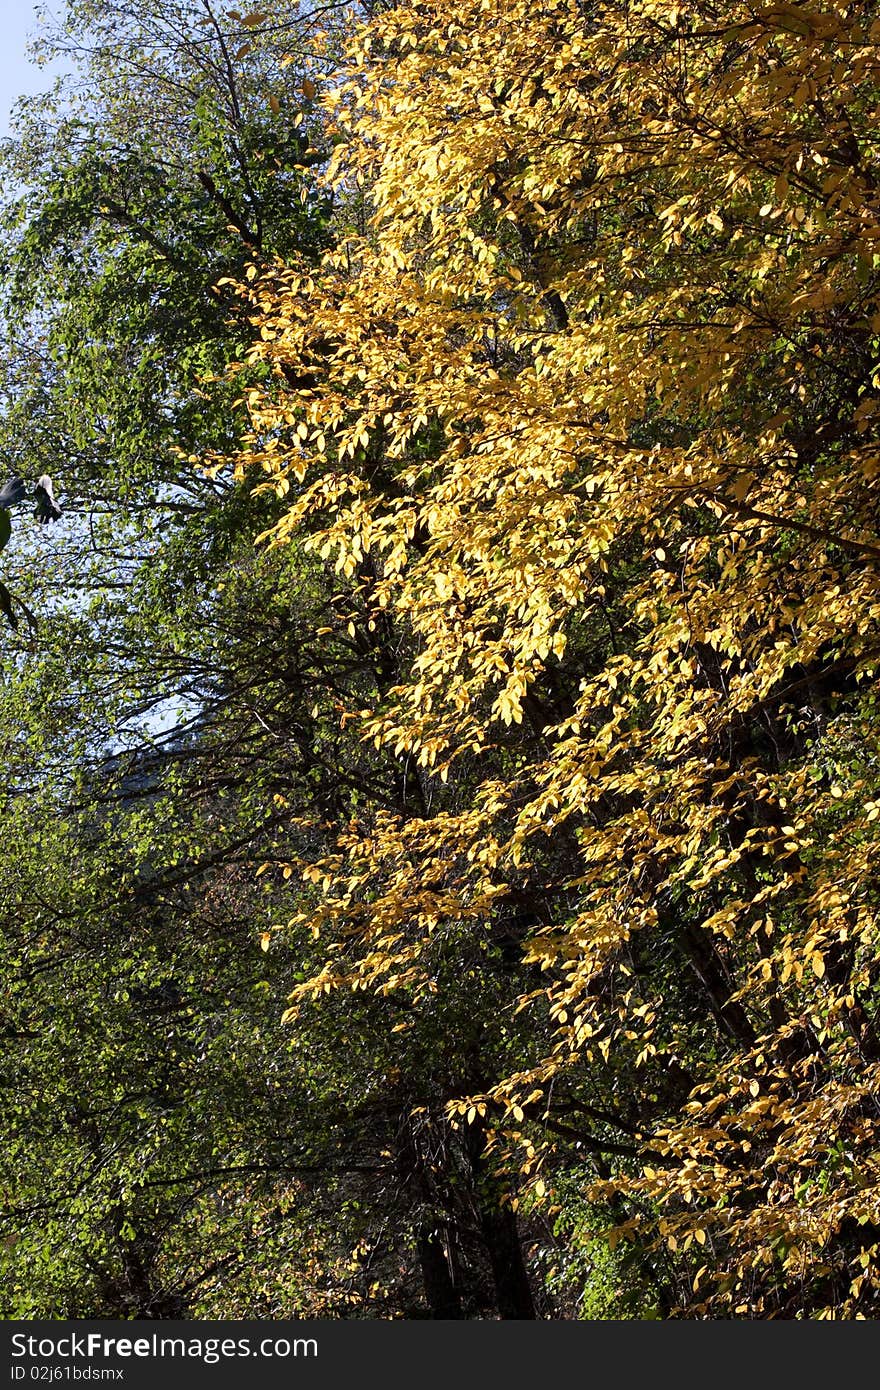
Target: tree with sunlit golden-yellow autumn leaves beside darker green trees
{"type": "Point", "coordinates": [590, 414]}
